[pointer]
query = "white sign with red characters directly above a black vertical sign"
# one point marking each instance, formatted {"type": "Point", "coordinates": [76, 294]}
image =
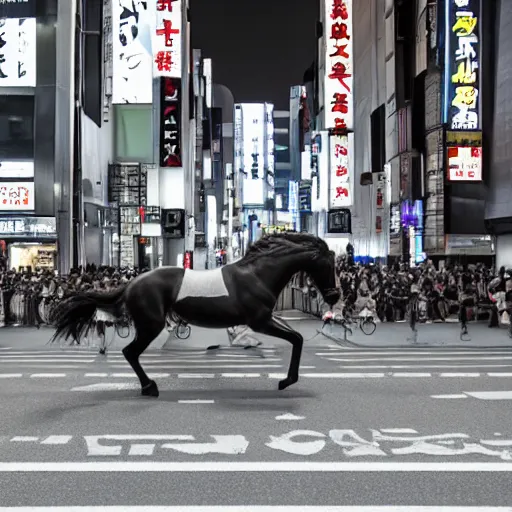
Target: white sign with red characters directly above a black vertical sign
{"type": "Point", "coordinates": [167, 39]}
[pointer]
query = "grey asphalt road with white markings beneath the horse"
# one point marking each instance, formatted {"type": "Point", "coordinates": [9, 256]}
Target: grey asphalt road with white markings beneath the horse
{"type": "Point", "coordinates": [388, 427]}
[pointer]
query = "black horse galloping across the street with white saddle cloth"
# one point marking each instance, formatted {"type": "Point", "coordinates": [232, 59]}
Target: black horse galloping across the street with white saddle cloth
{"type": "Point", "coordinates": [242, 293]}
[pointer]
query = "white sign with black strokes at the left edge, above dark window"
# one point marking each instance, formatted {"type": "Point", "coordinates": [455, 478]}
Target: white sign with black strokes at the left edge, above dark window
{"type": "Point", "coordinates": [18, 52]}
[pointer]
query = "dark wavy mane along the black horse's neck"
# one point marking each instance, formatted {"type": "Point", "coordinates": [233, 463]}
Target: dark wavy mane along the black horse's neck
{"type": "Point", "coordinates": [275, 244]}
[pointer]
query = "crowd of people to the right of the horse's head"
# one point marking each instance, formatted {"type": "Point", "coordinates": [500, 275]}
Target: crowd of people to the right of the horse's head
{"type": "Point", "coordinates": [453, 290]}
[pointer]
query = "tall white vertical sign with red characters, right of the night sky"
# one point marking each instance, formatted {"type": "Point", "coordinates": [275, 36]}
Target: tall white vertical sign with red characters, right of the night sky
{"type": "Point", "coordinates": [338, 87]}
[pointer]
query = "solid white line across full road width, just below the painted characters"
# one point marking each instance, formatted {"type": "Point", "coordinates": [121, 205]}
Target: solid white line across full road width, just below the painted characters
{"type": "Point", "coordinates": [255, 467]}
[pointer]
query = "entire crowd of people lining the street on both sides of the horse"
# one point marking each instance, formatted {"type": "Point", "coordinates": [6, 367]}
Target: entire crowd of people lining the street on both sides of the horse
{"type": "Point", "coordinates": [384, 291]}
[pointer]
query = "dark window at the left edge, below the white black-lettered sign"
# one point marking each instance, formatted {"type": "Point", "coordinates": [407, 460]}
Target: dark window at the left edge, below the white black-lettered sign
{"type": "Point", "coordinates": [16, 127]}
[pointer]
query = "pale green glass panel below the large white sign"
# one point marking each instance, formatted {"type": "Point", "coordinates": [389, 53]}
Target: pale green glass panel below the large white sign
{"type": "Point", "coordinates": [134, 133]}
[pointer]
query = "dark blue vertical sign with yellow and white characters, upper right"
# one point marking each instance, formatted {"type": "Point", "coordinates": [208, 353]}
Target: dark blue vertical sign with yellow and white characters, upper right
{"type": "Point", "coordinates": [463, 65]}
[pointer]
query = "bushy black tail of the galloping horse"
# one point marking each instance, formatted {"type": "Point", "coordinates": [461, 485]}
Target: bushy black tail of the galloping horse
{"type": "Point", "coordinates": [73, 316]}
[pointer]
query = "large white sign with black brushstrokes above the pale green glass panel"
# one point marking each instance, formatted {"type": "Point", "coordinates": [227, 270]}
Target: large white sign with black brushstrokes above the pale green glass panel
{"type": "Point", "coordinates": [132, 26]}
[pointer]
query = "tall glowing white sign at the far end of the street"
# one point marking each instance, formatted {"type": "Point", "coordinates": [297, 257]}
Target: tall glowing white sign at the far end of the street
{"type": "Point", "coordinates": [253, 161]}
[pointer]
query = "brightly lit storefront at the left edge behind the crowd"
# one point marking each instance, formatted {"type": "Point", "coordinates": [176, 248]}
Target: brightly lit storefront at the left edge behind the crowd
{"type": "Point", "coordinates": [28, 243]}
